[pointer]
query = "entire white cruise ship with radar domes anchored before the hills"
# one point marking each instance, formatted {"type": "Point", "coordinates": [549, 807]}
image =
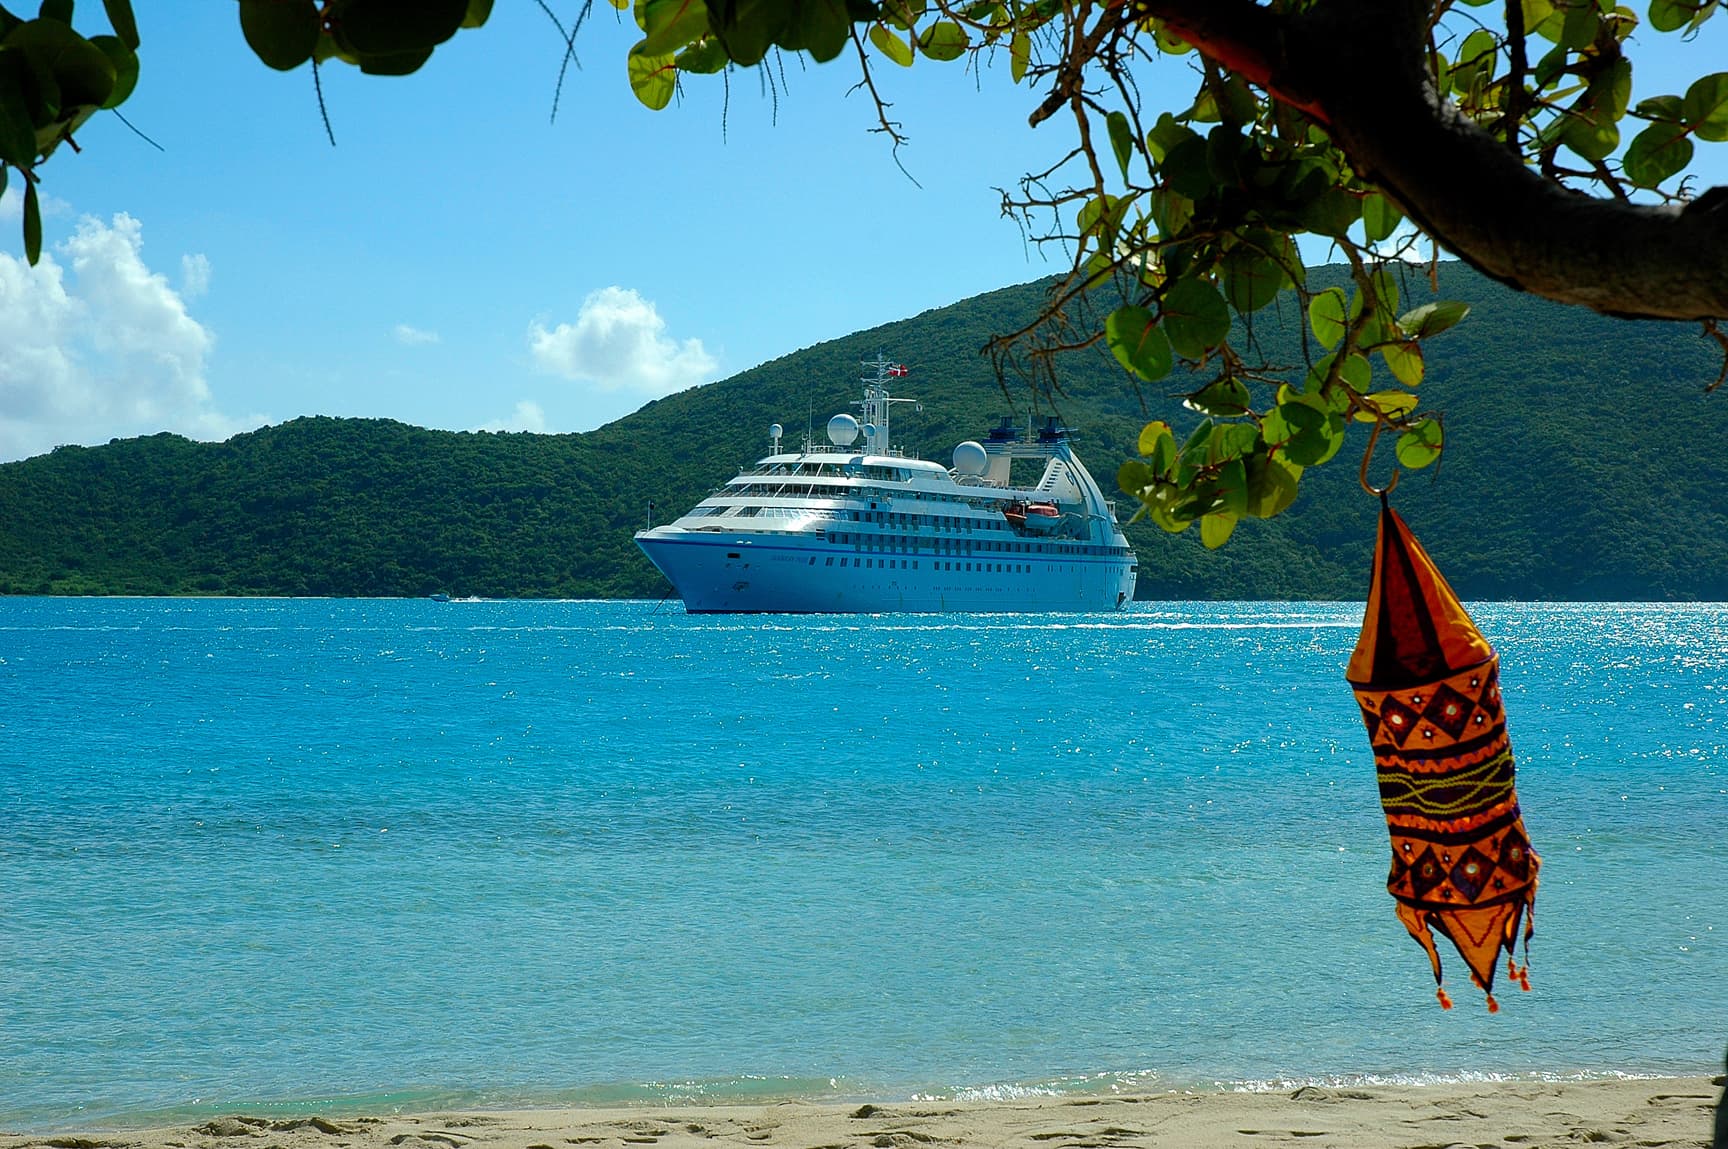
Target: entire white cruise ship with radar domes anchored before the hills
{"type": "Point", "coordinates": [856, 526]}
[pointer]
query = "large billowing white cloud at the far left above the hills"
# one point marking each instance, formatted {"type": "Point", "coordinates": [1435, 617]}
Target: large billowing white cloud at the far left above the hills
{"type": "Point", "coordinates": [96, 346]}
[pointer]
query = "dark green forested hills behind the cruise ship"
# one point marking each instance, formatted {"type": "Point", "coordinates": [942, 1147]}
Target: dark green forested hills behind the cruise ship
{"type": "Point", "coordinates": [1584, 460]}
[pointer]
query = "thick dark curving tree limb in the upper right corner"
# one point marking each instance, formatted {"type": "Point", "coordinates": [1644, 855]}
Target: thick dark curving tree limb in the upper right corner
{"type": "Point", "coordinates": [1359, 68]}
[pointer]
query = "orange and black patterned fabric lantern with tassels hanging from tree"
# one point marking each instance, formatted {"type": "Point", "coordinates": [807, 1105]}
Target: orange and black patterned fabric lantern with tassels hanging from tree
{"type": "Point", "coordinates": [1430, 692]}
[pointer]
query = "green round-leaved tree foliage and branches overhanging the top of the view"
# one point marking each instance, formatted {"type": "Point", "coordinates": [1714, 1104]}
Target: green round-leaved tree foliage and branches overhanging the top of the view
{"type": "Point", "coordinates": [1508, 134]}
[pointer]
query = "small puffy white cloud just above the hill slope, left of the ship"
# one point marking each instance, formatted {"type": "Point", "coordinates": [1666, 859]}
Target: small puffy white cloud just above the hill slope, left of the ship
{"type": "Point", "coordinates": [619, 343]}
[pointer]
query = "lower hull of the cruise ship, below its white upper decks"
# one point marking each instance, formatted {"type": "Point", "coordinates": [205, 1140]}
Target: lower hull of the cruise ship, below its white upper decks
{"type": "Point", "coordinates": [780, 574]}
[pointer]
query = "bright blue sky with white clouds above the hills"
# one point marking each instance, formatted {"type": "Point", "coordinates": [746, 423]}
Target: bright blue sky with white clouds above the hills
{"type": "Point", "coordinates": [459, 262]}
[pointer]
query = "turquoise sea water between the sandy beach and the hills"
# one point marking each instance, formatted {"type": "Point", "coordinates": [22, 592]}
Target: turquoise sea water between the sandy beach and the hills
{"type": "Point", "coordinates": [276, 856]}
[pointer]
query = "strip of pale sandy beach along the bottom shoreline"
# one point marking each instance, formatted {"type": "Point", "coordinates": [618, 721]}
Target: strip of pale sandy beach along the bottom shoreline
{"type": "Point", "coordinates": [1668, 1112]}
